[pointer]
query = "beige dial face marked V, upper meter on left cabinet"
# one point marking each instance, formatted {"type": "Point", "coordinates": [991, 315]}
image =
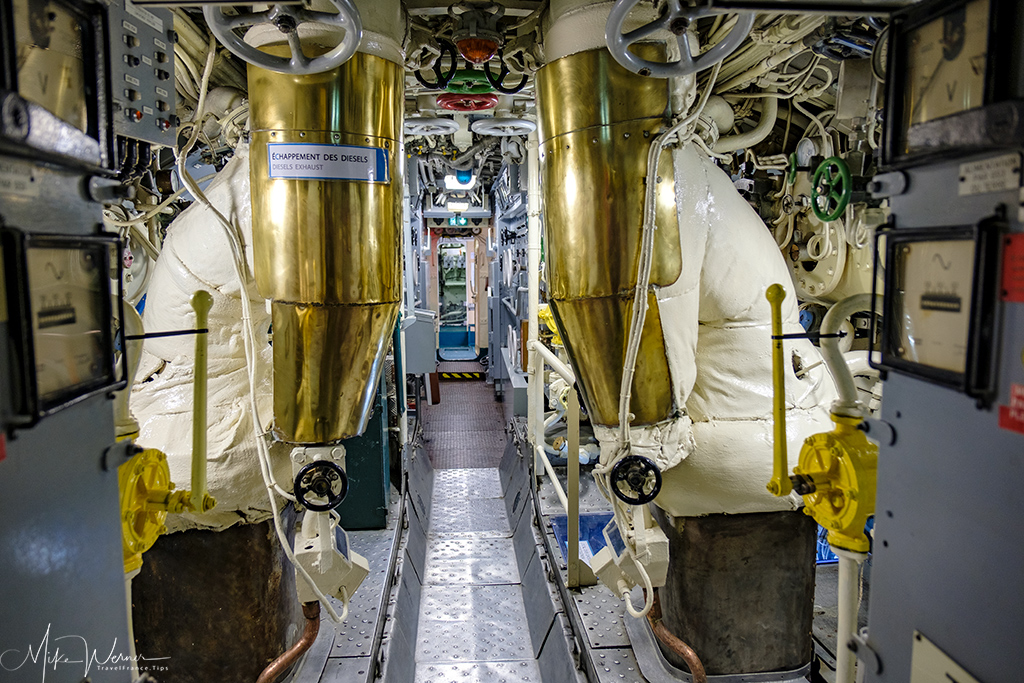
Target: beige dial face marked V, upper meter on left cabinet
{"type": "Point", "coordinates": [51, 64]}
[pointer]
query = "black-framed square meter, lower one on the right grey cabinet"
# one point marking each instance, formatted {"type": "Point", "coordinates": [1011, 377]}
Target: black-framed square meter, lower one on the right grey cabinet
{"type": "Point", "coordinates": [940, 318]}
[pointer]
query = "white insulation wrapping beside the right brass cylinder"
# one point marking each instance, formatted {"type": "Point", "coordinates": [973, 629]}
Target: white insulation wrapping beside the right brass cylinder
{"type": "Point", "coordinates": [717, 458]}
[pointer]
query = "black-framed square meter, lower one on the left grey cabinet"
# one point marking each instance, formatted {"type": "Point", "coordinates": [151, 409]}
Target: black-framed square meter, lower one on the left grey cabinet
{"type": "Point", "coordinates": [61, 310]}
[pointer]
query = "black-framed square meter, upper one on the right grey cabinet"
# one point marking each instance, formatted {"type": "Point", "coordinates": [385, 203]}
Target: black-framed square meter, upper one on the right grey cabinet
{"type": "Point", "coordinates": [951, 80]}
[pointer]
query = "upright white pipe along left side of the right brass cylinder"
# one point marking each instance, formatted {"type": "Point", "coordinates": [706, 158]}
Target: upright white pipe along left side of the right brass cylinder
{"type": "Point", "coordinates": [536, 393]}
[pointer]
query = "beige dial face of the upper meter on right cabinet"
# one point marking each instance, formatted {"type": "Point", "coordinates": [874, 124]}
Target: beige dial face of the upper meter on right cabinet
{"type": "Point", "coordinates": [947, 62]}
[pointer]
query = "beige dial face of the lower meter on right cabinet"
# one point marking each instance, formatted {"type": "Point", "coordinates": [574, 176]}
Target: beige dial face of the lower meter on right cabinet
{"type": "Point", "coordinates": [934, 303]}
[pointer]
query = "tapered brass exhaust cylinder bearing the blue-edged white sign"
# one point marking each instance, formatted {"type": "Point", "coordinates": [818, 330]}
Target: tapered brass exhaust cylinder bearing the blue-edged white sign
{"type": "Point", "coordinates": [328, 251]}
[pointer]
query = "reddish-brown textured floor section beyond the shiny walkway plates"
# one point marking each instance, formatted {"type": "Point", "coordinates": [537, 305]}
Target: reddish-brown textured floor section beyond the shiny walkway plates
{"type": "Point", "coordinates": [466, 430]}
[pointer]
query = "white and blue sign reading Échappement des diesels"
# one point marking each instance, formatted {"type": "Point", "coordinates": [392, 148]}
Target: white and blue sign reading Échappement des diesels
{"type": "Point", "coordinates": [328, 162]}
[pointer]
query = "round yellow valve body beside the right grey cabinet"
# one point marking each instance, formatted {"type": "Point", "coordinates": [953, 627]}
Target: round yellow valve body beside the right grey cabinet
{"type": "Point", "coordinates": [843, 465]}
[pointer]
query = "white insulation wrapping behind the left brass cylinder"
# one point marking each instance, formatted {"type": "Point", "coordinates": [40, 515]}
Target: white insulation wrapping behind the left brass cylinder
{"type": "Point", "coordinates": [196, 255]}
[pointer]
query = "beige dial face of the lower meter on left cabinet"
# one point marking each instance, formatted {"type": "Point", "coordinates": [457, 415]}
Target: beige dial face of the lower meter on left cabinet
{"type": "Point", "coordinates": [68, 290]}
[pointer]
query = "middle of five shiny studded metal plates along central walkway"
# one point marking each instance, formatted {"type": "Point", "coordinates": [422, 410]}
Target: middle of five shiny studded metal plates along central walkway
{"type": "Point", "coordinates": [471, 562]}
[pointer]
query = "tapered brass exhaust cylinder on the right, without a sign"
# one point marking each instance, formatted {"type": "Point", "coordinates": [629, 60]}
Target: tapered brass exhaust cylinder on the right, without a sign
{"type": "Point", "coordinates": [596, 124]}
